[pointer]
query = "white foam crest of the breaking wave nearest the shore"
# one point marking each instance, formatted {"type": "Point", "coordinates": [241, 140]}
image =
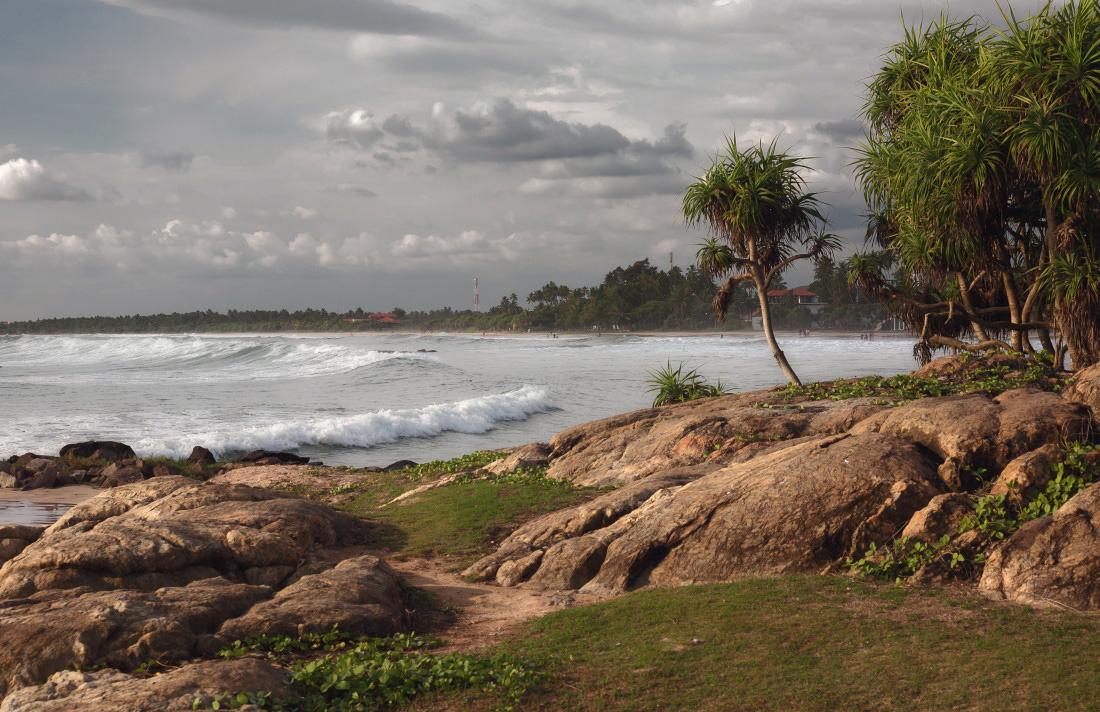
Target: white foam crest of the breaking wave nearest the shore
{"type": "Point", "coordinates": [364, 431]}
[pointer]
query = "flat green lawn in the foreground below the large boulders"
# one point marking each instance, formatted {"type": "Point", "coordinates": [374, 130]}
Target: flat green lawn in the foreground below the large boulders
{"type": "Point", "coordinates": [806, 644]}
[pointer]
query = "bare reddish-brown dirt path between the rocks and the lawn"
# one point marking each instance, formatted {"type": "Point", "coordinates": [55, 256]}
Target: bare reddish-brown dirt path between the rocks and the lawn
{"type": "Point", "coordinates": [488, 614]}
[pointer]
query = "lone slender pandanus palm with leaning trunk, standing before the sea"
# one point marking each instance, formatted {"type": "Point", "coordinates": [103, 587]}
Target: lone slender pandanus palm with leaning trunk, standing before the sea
{"type": "Point", "coordinates": [762, 222]}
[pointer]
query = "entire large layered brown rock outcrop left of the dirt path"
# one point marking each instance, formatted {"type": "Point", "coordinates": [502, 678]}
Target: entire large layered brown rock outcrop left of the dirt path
{"type": "Point", "coordinates": [164, 568]}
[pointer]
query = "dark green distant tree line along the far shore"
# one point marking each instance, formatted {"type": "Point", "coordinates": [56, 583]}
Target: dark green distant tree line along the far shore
{"type": "Point", "coordinates": [635, 298]}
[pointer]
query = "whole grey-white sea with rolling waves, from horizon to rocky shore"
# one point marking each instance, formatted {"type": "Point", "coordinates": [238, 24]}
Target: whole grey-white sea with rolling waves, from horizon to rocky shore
{"type": "Point", "coordinates": [372, 400]}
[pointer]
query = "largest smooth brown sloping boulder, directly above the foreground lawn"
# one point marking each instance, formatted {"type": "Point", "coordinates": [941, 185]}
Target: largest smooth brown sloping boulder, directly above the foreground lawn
{"type": "Point", "coordinates": [791, 510]}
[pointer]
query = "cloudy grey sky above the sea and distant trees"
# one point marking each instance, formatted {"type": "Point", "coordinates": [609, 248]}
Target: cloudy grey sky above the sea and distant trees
{"type": "Point", "coordinates": [171, 156]}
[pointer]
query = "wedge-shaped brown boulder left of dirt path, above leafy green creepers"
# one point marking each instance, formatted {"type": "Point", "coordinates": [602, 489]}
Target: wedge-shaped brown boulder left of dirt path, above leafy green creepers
{"type": "Point", "coordinates": [361, 596]}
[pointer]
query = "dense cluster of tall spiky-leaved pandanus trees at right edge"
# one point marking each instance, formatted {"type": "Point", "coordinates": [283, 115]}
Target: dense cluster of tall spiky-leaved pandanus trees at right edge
{"type": "Point", "coordinates": [981, 168]}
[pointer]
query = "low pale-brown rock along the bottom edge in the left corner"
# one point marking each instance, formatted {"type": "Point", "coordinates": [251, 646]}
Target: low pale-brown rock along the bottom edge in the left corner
{"type": "Point", "coordinates": [174, 692]}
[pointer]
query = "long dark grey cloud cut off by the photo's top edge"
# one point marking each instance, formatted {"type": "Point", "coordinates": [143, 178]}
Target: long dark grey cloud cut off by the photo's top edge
{"type": "Point", "coordinates": [380, 17]}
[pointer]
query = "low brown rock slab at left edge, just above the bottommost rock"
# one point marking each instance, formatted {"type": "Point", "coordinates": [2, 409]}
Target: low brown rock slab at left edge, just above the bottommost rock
{"type": "Point", "coordinates": [59, 630]}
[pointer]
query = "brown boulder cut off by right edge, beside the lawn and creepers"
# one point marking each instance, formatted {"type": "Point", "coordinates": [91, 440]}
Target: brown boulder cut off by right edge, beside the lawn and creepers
{"type": "Point", "coordinates": [1051, 562]}
